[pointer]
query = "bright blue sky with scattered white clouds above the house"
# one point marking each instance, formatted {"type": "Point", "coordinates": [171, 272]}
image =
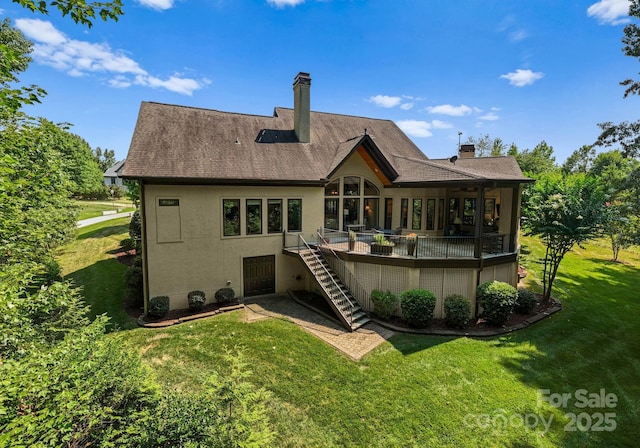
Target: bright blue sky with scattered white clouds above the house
{"type": "Point", "coordinates": [523, 71]}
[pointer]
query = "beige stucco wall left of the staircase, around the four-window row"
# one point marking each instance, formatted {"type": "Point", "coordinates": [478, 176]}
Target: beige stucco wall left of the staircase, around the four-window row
{"type": "Point", "coordinates": [202, 258]}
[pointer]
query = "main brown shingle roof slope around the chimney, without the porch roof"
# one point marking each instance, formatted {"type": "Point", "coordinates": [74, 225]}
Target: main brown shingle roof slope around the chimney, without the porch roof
{"type": "Point", "coordinates": [190, 143]}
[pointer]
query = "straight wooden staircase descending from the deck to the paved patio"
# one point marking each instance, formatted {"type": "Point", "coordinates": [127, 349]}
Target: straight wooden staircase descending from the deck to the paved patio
{"type": "Point", "coordinates": [341, 300]}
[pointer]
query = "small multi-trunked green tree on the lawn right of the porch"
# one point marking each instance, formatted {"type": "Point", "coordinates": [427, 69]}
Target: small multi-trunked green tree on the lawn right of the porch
{"type": "Point", "coordinates": [563, 211]}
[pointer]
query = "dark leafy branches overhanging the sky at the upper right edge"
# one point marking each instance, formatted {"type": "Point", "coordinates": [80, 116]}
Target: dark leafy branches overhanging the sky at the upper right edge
{"type": "Point", "coordinates": [627, 133]}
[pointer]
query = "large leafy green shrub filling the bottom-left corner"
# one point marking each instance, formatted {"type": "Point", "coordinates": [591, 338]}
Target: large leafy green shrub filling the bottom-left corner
{"type": "Point", "coordinates": [84, 391]}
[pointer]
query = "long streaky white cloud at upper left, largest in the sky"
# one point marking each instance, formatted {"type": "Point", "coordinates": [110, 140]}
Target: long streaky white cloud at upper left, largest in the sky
{"type": "Point", "coordinates": [80, 58]}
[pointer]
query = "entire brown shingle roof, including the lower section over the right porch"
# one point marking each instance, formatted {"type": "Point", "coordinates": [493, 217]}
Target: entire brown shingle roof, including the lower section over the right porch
{"type": "Point", "coordinates": [202, 145]}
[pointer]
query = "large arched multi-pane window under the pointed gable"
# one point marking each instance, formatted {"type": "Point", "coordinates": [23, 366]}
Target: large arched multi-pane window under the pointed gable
{"type": "Point", "coordinates": [351, 200]}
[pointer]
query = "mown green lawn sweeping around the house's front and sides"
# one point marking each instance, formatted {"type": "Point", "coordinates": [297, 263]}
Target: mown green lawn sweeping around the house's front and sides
{"type": "Point", "coordinates": [418, 390]}
